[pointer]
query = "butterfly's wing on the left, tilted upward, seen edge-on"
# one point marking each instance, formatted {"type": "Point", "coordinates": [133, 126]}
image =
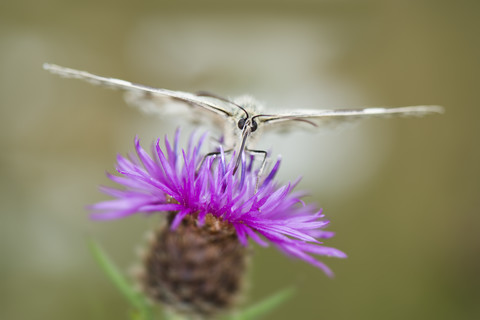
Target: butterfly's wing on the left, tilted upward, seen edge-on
{"type": "Point", "coordinates": [139, 94]}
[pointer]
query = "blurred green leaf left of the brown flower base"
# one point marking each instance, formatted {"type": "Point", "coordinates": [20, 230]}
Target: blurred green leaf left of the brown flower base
{"type": "Point", "coordinates": [142, 310]}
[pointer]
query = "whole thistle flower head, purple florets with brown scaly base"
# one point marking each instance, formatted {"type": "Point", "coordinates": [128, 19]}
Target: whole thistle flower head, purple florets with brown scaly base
{"type": "Point", "coordinates": [195, 263]}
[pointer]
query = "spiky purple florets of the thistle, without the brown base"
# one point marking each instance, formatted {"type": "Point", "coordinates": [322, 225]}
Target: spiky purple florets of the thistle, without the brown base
{"type": "Point", "coordinates": [174, 181]}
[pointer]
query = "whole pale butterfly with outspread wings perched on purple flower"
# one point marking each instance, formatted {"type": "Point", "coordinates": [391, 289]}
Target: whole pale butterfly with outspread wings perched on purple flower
{"type": "Point", "coordinates": [240, 119]}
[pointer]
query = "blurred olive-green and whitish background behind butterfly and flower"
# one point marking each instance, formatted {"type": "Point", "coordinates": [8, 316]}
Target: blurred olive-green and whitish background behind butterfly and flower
{"type": "Point", "coordinates": [402, 194]}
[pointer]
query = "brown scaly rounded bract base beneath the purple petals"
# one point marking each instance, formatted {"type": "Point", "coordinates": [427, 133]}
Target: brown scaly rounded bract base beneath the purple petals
{"type": "Point", "coordinates": [195, 269]}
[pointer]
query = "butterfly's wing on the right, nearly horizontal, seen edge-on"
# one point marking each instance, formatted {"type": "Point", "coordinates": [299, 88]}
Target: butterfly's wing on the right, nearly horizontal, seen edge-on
{"type": "Point", "coordinates": [319, 117]}
